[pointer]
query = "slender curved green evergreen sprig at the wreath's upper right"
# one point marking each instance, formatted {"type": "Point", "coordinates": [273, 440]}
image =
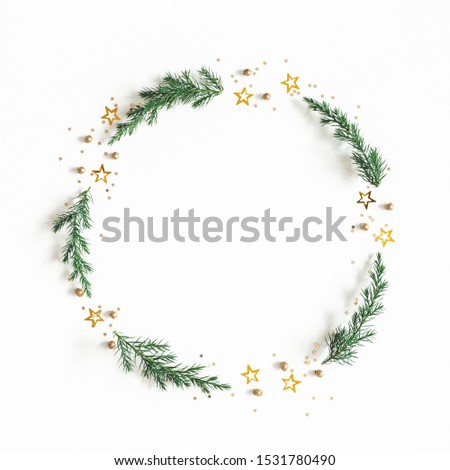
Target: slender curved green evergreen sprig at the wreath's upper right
{"type": "Point", "coordinates": [370, 165]}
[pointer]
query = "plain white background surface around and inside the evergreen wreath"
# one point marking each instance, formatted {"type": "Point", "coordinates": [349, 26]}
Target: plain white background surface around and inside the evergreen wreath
{"type": "Point", "coordinates": [234, 303]}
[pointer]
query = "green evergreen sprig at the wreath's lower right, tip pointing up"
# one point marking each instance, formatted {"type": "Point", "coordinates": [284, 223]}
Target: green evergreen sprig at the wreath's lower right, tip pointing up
{"type": "Point", "coordinates": [344, 341]}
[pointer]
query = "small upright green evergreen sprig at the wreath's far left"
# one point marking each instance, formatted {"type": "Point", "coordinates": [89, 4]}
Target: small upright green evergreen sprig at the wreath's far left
{"type": "Point", "coordinates": [76, 220]}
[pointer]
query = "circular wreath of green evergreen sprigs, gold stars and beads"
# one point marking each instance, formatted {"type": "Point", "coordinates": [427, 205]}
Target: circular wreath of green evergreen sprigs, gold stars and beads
{"type": "Point", "coordinates": [154, 358]}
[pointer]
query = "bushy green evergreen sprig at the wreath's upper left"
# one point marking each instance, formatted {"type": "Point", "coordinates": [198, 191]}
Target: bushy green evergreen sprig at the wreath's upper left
{"type": "Point", "coordinates": [174, 89]}
